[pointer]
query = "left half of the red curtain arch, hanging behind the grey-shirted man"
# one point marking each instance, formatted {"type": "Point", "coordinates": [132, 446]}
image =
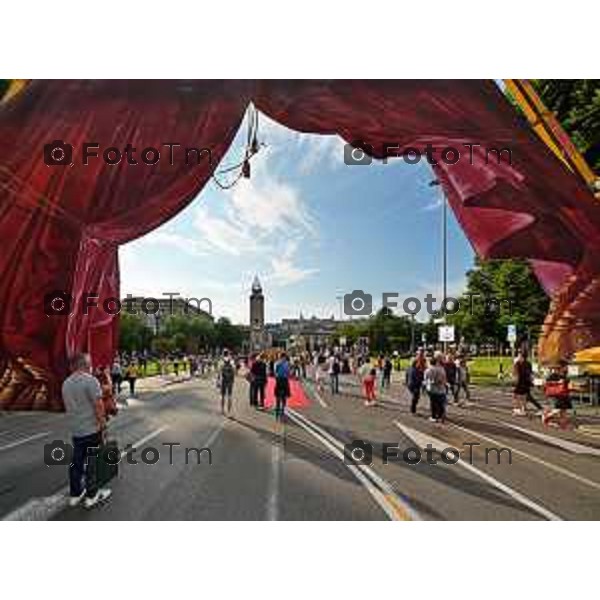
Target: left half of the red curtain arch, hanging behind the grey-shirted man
{"type": "Point", "coordinates": [61, 226]}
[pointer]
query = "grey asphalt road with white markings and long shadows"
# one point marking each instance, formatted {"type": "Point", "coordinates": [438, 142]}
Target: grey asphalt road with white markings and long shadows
{"type": "Point", "coordinates": [263, 470]}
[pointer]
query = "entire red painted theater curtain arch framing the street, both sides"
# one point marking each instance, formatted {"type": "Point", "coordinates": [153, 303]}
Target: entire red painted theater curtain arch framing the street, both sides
{"type": "Point", "coordinates": [60, 227]}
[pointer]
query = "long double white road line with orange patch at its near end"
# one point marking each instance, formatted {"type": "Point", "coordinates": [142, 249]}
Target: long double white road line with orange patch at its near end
{"type": "Point", "coordinates": [379, 489]}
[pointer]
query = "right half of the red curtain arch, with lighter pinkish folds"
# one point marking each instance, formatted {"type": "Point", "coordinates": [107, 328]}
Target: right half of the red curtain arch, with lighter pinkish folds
{"type": "Point", "coordinates": [534, 208]}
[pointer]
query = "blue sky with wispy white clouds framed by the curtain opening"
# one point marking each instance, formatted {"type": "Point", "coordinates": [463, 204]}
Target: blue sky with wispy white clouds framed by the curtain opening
{"type": "Point", "coordinates": [309, 225]}
